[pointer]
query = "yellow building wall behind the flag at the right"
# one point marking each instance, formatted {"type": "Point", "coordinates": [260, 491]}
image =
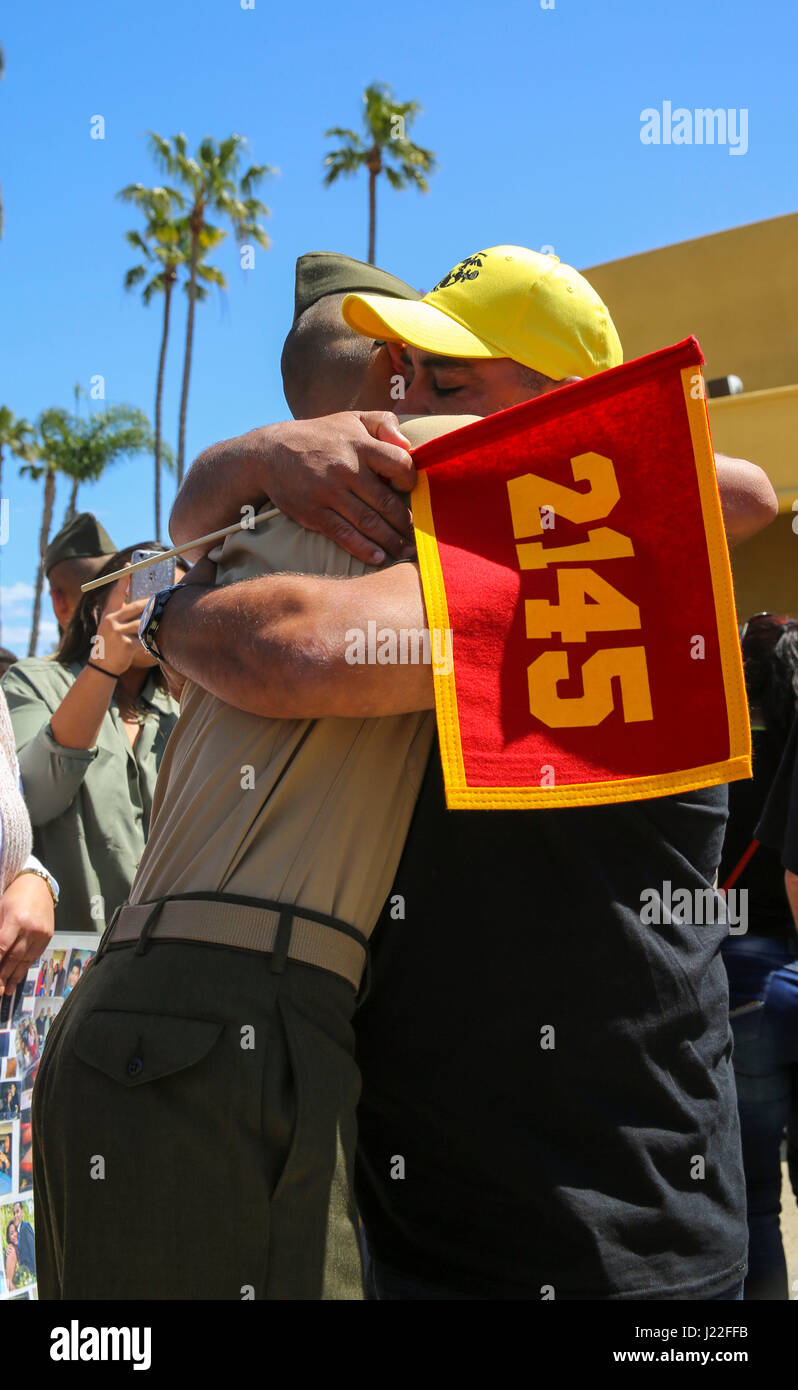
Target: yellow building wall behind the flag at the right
{"type": "Point", "coordinates": [738, 291]}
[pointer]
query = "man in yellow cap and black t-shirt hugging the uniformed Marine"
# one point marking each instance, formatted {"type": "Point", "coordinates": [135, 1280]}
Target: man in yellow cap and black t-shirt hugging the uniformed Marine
{"type": "Point", "coordinates": [493, 1166]}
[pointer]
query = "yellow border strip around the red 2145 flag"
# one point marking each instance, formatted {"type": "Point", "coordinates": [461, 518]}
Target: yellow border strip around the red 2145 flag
{"type": "Point", "coordinates": [461, 797]}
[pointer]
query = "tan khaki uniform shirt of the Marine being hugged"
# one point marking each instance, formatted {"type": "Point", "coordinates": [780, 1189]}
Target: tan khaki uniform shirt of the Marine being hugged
{"type": "Point", "coordinates": [312, 812]}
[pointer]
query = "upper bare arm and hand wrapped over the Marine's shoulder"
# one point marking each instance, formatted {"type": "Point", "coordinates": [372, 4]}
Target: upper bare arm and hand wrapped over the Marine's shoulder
{"type": "Point", "coordinates": [327, 475]}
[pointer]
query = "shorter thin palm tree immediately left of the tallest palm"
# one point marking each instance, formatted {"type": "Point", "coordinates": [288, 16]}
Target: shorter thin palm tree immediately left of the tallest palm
{"type": "Point", "coordinates": [163, 244]}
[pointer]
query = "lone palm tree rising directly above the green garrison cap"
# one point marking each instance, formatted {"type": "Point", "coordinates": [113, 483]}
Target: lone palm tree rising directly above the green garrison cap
{"type": "Point", "coordinates": [383, 149]}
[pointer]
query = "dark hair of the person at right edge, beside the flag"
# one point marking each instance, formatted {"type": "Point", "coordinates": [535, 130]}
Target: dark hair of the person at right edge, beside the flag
{"type": "Point", "coordinates": [771, 665]}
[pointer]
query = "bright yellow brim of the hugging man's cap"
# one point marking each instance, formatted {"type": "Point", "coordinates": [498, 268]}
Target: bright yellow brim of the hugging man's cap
{"type": "Point", "coordinates": [416, 323]}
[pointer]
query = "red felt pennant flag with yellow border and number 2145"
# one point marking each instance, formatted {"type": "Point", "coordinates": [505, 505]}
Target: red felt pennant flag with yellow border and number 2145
{"type": "Point", "coordinates": [573, 548]}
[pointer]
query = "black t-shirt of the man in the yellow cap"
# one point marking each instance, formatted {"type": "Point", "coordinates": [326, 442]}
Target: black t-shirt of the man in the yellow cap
{"type": "Point", "coordinates": [607, 1166]}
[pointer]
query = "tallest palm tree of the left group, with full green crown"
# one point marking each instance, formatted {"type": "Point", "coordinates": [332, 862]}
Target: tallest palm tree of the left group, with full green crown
{"type": "Point", "coordinates": [213, 184]}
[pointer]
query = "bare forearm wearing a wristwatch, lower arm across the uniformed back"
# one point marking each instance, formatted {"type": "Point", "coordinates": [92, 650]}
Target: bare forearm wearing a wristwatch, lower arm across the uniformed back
{"type": "Point", "coordinates": [279, 646]}
